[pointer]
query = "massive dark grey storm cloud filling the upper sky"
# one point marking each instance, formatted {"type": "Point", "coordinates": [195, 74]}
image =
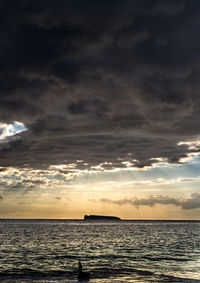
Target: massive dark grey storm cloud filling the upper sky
{"type": "Point", "coordinates": [96, 80]}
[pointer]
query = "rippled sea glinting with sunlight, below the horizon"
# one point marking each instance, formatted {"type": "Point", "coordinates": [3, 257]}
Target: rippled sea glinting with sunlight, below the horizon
{"type": "Point", "coordinates": [126, 251]}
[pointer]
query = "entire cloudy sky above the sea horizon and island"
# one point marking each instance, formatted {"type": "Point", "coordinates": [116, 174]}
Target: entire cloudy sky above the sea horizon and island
{"type": "Point", "coordinates": [100, 109]}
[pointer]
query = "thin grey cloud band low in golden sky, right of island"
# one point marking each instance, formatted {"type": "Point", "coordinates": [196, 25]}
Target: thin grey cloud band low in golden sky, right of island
{"type": "Point", "coordinates": [187, 204]}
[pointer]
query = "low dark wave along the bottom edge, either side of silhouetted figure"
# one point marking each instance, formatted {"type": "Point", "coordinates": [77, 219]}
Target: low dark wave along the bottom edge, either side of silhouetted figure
{"type": "Point", "coordinates": [137, 275]}
